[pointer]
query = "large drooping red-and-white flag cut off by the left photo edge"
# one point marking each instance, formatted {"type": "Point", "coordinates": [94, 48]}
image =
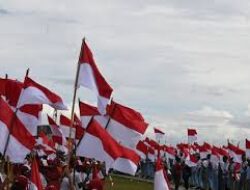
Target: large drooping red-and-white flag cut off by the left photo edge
{"type": "Point", "coordinates": [21, 142]}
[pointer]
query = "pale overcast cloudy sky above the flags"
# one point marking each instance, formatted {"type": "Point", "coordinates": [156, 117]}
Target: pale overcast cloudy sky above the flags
{"type": "Point", "coordinates": [182, 64]}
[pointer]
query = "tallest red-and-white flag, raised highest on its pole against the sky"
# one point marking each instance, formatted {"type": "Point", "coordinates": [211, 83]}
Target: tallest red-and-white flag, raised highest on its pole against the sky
{"type": "Point", "coordinates": [90, 77]}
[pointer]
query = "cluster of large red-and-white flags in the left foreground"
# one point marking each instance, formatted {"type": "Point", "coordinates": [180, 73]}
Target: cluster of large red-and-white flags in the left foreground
{"type": "Point", "coordinates": [109, 132]}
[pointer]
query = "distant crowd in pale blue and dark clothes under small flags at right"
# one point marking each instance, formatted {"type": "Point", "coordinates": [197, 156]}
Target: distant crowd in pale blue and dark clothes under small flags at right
{"type": "Point", "coordinates": [205, 174]}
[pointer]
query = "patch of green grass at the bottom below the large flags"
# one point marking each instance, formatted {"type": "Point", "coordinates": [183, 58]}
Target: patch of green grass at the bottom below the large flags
{"type": "Point", "coordinates": [127, 184]}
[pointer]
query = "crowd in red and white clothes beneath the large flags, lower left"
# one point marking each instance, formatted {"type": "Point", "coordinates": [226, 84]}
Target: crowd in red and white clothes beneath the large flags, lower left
{"type": "Point", "coordinates": [55, 172]}
